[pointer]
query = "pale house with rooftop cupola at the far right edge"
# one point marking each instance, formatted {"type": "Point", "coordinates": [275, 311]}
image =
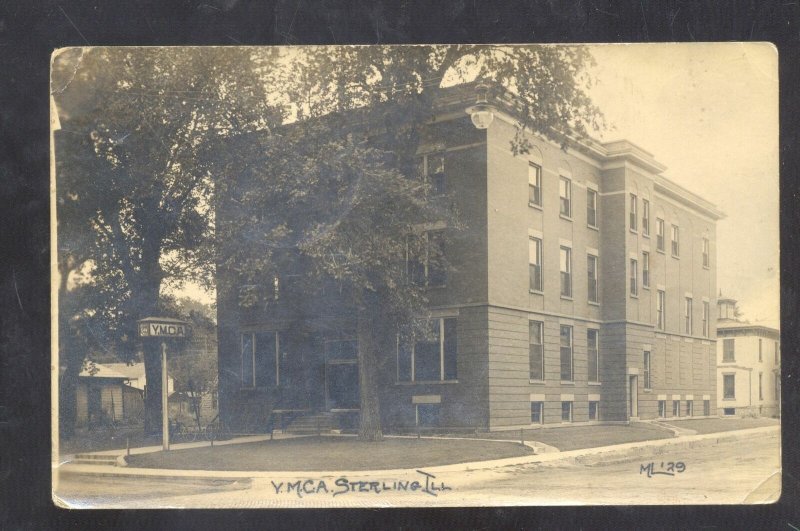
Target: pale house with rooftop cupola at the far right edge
{"type": "Point", "coordinates": [748, 365]}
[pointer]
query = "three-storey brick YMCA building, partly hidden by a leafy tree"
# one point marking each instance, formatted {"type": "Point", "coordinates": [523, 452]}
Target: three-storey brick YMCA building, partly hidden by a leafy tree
{"type": "Point", "coordinates": [582, 290]}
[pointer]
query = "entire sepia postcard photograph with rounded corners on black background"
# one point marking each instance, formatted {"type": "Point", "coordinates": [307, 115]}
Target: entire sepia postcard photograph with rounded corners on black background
{"type": "Point", "coordinates": [415, 275]}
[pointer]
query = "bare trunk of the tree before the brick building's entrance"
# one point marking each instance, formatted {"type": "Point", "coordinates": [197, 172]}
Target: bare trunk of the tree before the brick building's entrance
{"type": "Point", "coordinates": [370, 429]}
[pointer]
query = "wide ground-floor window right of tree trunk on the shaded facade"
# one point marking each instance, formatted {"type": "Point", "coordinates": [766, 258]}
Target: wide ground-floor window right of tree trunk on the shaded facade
{"type": "Point", "coordinates": [431, 355]}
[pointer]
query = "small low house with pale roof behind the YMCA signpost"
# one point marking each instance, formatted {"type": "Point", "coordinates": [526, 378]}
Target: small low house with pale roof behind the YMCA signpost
{"type": "Point", "coordinates": [112, 391]}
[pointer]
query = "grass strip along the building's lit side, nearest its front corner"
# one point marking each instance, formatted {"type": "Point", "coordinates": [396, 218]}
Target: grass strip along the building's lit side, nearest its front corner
{"type": "Point", "coordinates": [578, 437]}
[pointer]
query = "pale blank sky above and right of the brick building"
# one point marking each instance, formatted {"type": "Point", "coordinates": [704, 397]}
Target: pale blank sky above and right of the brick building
{"type": "Point", "coordinates": [709, 112]}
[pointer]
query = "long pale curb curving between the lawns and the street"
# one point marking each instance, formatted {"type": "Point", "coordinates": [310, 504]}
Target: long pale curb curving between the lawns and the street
{"type": "Point", "coordinates": [627, 450]}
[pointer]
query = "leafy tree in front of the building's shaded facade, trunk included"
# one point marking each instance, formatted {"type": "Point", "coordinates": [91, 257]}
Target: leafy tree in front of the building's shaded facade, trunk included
{"type": "Point", "coordinates": [334, 196]}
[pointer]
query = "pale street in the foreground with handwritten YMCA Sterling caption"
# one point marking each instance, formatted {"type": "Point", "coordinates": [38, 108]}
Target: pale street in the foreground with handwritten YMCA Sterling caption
{"type": "Point", "coordinates": [722, 473]}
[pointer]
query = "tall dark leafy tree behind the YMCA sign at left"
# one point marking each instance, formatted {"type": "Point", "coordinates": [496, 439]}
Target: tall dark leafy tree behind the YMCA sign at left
{"type": "Point", "coordinates": [145, 122]}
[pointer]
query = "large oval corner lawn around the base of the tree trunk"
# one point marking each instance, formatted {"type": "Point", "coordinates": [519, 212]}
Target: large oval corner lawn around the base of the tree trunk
{"type": "Point", "coordinates": [330, 453]}
